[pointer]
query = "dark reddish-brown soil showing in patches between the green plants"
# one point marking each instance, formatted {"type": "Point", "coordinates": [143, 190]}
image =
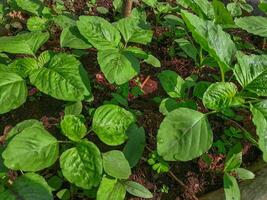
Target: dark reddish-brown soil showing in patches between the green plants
{"type": "Point", "coordinates": [198, 177]}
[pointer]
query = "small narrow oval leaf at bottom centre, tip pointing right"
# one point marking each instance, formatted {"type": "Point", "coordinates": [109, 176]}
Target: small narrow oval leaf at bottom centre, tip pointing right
{"type": "Point", "coordinates": [137, 190]}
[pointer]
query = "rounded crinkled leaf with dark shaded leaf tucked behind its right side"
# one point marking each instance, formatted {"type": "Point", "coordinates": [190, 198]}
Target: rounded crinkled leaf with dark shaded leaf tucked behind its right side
{"type": "Point", "coordinates": [110, 123]}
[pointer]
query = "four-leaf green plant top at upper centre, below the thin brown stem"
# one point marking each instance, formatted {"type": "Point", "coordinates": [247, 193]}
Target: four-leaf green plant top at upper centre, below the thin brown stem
{"type": "Point", "coordinates": [118, 62]}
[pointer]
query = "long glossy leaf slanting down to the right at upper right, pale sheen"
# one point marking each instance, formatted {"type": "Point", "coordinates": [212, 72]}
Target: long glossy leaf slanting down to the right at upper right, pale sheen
{"type": "Point", "coordinates": [211, 38]}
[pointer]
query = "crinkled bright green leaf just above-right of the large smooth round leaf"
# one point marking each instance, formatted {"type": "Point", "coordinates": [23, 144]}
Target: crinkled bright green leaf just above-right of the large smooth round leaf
{"type": "Point", "coordinates": [221, 95]}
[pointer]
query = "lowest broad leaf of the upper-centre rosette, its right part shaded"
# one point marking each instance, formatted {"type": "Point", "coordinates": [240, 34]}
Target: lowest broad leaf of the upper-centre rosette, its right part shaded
{"type": "Point", "coordinates": [117, 65]}
